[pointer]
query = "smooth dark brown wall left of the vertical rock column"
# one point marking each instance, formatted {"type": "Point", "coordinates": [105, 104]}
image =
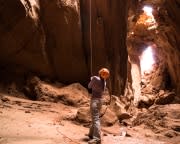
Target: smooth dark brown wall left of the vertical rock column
{"type": "Point", "coordinates": [43, 36]}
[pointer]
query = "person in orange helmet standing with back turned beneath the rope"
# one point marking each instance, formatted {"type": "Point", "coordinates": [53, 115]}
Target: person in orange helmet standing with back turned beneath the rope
{"type": "Point", "coordinates": [97, 85]}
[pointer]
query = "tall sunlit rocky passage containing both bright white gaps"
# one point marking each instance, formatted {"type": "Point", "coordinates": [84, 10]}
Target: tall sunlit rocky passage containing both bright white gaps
{"type": "Point", "coordinates": [150, 74]}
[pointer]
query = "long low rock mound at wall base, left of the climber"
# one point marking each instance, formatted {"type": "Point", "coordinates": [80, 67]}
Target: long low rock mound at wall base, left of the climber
{"type": "Point", "coordinates": [74, 94]}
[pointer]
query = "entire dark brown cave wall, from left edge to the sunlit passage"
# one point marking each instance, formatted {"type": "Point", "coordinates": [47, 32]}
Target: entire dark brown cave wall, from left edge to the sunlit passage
{"type": "Point", "coordinates": [51, 38]}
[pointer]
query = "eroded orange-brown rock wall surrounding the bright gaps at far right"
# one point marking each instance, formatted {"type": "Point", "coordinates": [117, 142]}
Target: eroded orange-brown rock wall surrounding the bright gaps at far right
{"type": "Point", "coordinates": [163, 37]}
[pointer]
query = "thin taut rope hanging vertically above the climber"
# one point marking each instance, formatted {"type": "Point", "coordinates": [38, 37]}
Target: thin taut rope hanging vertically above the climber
{"type": "Point", "coordinates": [90, 36]}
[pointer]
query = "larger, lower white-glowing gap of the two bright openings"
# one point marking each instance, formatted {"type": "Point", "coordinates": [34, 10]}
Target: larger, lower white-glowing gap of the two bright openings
{"type": "Point", "coordinates": [147, 61]}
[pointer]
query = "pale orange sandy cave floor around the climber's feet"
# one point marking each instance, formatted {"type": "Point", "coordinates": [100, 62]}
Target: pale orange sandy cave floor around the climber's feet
{"type": "Point", "coordinates": [33, 122]}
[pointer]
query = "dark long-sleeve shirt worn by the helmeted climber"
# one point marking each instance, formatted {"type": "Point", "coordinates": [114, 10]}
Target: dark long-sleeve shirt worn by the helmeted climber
{"type": "Point", "coordinates": [97, 85]}
